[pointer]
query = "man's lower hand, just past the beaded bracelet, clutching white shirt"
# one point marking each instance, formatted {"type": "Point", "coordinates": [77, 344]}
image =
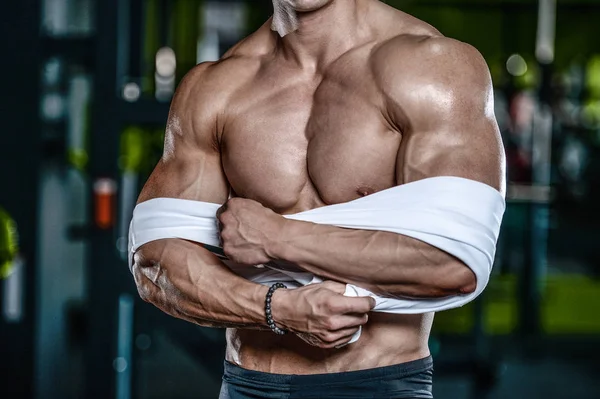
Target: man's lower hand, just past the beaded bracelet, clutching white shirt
{"type": "Point", "coordinates": [320, 314]}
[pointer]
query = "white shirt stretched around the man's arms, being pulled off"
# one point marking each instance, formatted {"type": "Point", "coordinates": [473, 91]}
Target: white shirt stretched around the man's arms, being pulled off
{"type": "Point", "coordinates": [456, 215]}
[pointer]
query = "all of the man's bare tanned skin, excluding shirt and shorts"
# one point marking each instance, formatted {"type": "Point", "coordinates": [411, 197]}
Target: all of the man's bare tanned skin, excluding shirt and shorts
{"type": "Point", "coordinates": [360, 98]}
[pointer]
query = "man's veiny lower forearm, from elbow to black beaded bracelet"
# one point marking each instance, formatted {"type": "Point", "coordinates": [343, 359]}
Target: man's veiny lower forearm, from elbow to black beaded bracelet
{"type": "Point", "coordinates": [188, 282]}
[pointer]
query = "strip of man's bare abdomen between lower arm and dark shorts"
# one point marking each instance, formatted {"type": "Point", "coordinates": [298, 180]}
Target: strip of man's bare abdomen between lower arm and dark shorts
{"type": "Point", "coordinates": [387, 339]}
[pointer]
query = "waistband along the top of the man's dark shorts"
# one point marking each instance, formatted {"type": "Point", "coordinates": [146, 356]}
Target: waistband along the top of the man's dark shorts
{"type": "Point", "coordinates": [398, 370]}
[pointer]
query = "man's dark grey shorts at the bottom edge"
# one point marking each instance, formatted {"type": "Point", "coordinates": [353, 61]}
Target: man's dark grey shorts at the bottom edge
{"type": "Point", "coordinates": [412, 380]}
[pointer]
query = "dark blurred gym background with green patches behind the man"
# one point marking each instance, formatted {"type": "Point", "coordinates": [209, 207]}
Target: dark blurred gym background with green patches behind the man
{"type": "Point", "coordinates": [87, 85]}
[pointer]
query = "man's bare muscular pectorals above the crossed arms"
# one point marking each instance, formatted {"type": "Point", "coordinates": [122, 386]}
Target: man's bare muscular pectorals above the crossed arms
{"type": "Point", "coordinates": [299, 145]}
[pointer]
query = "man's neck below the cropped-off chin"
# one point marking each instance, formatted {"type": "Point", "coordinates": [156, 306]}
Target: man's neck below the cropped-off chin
{"type": "Point", "coordinates": [317, 37]}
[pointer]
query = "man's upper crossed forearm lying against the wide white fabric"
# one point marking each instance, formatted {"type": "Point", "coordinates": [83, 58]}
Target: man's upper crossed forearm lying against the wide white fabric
{"type": "Point", "coordinates": [385, 263]}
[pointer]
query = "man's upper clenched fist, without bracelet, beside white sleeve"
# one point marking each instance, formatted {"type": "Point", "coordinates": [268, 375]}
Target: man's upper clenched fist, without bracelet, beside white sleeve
{"type": "Point", "coordinates": [246, 229]}
